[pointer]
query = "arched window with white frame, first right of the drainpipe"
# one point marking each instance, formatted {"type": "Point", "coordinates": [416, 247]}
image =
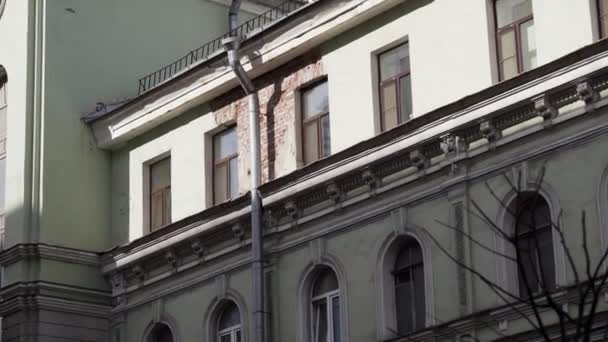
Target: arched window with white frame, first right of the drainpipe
{"type": "Point", "coordinates": [325, 301]}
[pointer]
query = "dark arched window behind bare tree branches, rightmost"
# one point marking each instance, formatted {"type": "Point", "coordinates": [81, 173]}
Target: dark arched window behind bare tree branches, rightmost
{"type": "Point", "coordinates": [533, 243]}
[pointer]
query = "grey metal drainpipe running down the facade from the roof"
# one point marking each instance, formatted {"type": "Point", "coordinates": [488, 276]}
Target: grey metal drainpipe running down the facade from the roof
{"type": "Point", "coordinates": [231, 45]}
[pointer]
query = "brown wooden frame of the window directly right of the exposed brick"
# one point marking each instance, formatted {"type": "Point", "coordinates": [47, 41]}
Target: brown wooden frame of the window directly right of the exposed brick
{"type": "Point", "coordinates": [317, 118]}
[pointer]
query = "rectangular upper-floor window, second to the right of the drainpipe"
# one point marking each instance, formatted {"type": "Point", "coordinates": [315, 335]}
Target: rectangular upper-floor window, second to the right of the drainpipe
{"type": "Point", "coordinates": [395, 87]}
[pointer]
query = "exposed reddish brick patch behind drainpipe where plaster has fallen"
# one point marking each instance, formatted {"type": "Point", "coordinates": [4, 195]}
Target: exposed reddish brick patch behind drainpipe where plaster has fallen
{"type": "Point", "coordinates": [277, 93]}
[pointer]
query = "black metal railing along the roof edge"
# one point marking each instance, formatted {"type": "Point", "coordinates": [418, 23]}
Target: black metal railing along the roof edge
{"type": "Point", "coordinates": [200, 54]}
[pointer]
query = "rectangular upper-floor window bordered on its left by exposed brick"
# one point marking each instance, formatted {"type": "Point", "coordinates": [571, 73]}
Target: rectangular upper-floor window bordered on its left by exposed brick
{"type": "Point", "coordinates": [316, 136]}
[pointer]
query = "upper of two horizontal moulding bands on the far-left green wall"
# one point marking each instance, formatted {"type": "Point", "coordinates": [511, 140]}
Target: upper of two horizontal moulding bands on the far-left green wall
{"type": "Point", "coordinates": [22, 252]}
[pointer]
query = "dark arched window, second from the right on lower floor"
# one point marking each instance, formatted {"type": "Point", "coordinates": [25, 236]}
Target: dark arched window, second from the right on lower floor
{"type": "Point", "coordinates": [409, 287]}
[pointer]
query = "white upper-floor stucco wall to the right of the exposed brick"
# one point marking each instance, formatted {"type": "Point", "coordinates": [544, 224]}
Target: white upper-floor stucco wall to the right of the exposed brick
{"type": "Point", "coordinates": [452, 55]}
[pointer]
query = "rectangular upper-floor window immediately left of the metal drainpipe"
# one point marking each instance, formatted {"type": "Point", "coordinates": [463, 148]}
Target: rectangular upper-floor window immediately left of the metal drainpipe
{"type": "Point", "coordinates": [225, 166]}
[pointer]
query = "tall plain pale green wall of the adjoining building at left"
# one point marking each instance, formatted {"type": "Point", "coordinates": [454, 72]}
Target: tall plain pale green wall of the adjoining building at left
{"type": "Point", "coordinates": [96, 51]}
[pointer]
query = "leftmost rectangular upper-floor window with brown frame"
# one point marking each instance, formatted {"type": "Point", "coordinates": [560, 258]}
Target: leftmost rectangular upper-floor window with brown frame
{"type": "Point", "coordinates": [160, 194]}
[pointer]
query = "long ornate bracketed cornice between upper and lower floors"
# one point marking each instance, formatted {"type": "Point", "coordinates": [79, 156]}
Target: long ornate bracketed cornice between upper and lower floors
{"type": "Point", "coordinates": [446, 152]}
